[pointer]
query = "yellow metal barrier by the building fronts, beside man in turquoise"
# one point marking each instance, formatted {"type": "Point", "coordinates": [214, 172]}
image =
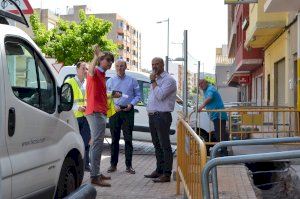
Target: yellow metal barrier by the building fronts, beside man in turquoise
{"type": "Point", "coordinates": [257, 122]}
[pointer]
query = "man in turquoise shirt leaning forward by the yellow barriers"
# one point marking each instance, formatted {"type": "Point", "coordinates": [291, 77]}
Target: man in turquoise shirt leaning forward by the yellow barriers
{"type": "Point", "coordinates": [213, 101]}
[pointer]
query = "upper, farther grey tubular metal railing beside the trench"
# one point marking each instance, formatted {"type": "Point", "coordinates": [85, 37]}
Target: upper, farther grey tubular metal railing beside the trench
{"type": "Point", "coordinates": [244, 143]}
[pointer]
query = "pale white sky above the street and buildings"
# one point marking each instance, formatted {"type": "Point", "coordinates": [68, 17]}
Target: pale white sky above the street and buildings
{"type": "Point", "coordinates": [206, 22]}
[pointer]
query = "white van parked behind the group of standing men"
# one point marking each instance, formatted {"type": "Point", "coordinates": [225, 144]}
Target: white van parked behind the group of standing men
{"type": "Point", "coordinates": [141, 122]}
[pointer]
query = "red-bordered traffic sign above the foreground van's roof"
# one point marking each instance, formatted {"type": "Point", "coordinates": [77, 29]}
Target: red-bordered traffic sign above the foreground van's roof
{"type": "Point", "coordinates": [23, 4]}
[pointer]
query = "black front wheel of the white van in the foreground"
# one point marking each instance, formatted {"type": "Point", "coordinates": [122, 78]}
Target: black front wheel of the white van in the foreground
{"type": "Point", "coordinates": [67, 179]}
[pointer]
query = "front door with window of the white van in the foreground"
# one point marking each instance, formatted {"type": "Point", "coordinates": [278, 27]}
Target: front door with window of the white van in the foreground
{"type": "Point", "coordinates": [30, 106]}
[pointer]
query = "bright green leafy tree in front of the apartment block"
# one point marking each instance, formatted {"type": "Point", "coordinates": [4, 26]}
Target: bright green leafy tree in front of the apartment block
{"type": "Point", "coordinates": [70, 42]}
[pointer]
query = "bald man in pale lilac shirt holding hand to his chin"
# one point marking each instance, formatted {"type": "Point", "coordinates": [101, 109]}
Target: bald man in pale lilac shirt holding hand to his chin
{"type": "Point", "coordinates": [161, 103]}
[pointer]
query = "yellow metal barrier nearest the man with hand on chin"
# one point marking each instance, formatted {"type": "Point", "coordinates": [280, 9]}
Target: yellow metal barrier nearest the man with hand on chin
{"type": "Point", "coordinates": [191, 158]}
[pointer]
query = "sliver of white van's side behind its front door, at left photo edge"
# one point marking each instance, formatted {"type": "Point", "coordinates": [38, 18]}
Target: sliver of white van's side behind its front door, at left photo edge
{"type": "Point", "coordinates": [5, 166]}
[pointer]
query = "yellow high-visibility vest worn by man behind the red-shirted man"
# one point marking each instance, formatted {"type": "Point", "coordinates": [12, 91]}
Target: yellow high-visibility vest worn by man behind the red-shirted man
{"type": "Point", "coordinates": [78, 96]}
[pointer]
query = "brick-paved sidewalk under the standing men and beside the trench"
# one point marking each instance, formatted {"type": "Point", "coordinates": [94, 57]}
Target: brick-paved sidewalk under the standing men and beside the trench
{"type": "Point", "coordinates": [234, 182]}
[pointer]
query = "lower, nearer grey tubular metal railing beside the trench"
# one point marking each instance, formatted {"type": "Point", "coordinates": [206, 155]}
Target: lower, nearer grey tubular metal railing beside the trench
{"type": "Point", "coordinates": [242, 159]}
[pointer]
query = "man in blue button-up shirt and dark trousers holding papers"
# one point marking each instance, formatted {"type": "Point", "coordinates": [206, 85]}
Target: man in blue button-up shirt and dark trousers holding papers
{"type": "Point", "coordinates": [124, 117]}
